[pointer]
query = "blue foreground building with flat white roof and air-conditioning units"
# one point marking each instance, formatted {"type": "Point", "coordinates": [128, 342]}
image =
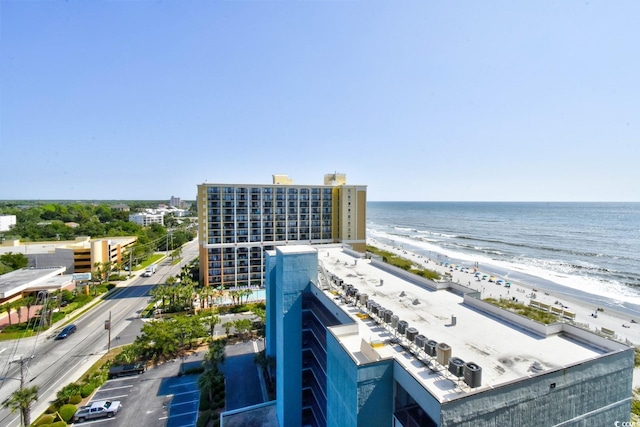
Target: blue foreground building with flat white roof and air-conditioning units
{"type": "Point", "coordinates": [358, 342]}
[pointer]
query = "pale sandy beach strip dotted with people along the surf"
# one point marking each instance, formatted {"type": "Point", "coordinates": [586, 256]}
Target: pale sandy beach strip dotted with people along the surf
{"type": "Point", "coordinates": [587, 315]}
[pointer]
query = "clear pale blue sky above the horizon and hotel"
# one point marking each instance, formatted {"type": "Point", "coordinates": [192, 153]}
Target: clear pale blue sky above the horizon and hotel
{"type": "Point", "coordinates": [418, 100]}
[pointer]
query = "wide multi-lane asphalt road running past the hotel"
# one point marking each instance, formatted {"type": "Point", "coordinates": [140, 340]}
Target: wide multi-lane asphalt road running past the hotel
{"type": "Point", "coordinates": [54, 364]}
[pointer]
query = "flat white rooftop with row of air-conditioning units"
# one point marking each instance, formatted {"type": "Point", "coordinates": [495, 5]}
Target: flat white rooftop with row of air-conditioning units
{"type": "Point", "coordinates": [505, 351]}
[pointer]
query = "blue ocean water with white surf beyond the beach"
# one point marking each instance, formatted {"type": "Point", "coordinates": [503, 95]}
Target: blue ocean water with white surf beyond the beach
{"type": "Point", "coordinates": [589, 251]}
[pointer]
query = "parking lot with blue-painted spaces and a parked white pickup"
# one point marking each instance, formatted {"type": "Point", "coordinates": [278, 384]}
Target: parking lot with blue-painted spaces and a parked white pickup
{"type": "Point", "coordinates": [155, 398]}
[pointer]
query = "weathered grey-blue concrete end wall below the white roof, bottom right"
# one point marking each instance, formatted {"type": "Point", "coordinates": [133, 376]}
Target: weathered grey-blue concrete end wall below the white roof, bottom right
{"type": "Point", "coordinates": [596, 392]}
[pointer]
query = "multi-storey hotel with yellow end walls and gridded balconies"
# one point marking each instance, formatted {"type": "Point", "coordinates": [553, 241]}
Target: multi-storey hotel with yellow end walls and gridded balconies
{"type": "Point", "coordinates": [238, 222]}
